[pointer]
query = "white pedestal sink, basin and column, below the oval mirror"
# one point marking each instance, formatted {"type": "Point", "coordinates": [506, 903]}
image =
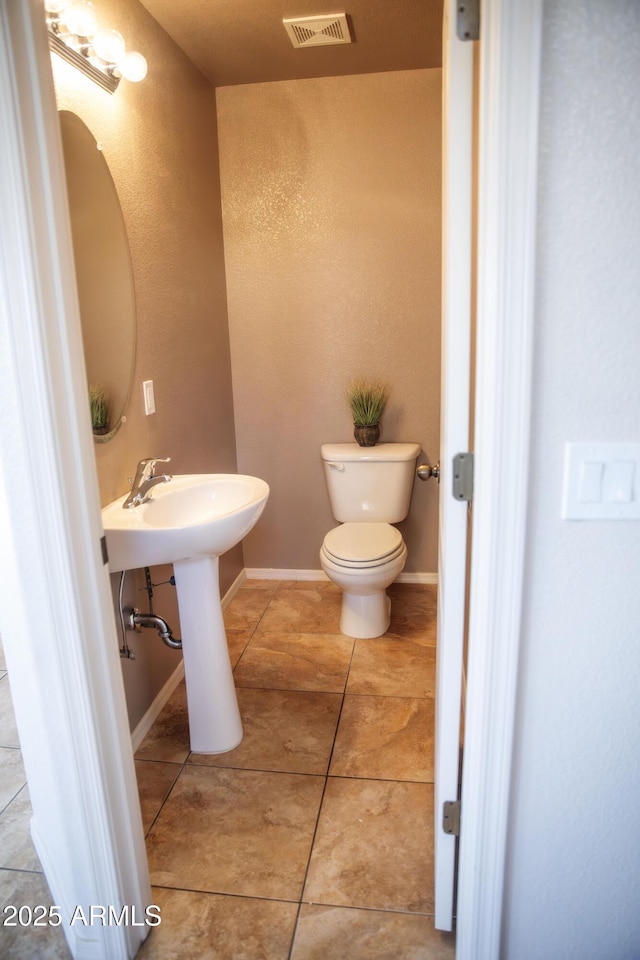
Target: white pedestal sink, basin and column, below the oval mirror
{"type": "Point", "coordinates": [189, 522]}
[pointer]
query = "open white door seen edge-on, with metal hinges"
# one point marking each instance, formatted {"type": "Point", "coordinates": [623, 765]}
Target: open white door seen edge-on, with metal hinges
{"type": "Point", "coordinates": [455, 394]}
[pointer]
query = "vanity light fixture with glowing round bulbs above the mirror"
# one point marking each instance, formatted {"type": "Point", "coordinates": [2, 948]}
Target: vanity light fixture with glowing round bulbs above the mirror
{"type": "Point", "coordinates": [100, 53]}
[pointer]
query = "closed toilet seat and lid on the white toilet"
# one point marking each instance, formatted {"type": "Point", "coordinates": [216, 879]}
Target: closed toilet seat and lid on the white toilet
{"type": "Point", "coordinates": [363, 545]}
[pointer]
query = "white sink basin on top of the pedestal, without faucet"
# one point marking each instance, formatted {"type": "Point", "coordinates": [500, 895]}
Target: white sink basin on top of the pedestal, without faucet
{"type": "Point", "coordinates": [193, 515]}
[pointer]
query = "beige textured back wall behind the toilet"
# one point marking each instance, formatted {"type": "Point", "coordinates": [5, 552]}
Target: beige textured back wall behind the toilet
{"type": "Point", "coordinates": [331, 213]}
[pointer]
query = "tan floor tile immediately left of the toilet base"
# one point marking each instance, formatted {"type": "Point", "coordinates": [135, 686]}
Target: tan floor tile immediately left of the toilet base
{"type": "Point", "coordinates": [312, 609]}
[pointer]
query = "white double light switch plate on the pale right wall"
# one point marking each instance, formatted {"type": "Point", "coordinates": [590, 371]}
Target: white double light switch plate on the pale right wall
{"type": "Point", "coordinates": [601, 481]}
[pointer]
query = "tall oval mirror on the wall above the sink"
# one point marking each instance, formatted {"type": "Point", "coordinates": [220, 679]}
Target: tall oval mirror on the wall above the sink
{"type": "Point", "coordinates": [104, 277]}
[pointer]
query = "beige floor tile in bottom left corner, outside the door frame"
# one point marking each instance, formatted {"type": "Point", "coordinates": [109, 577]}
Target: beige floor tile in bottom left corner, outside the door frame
{"type": "Point", "coordinates": [29, 942]}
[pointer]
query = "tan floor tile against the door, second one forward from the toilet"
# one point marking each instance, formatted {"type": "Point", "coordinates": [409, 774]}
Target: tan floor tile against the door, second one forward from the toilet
{"type": "Point", "coordinates": [385, 738]}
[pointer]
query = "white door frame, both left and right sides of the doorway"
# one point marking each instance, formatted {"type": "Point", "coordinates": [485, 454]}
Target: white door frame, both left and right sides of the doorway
{"type": "Point", "coordinates": [56, 605]}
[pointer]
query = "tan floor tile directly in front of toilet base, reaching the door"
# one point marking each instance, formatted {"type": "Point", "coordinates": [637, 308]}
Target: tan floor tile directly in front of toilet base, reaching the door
{"type": "Point", "coordinates": [392, 668]}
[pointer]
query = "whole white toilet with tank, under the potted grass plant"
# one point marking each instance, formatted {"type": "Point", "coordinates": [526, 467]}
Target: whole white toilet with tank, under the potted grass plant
{"type": "Point", "coordinates": [369, 490]}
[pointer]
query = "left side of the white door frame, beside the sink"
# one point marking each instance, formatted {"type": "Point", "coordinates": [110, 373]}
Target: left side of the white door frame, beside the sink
{"type": "Point", "coordinates": [56, 612]}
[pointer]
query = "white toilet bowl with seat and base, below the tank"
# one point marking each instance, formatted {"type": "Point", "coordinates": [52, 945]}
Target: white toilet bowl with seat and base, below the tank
{"type": "Point", "coordinates": [363, 559]}
